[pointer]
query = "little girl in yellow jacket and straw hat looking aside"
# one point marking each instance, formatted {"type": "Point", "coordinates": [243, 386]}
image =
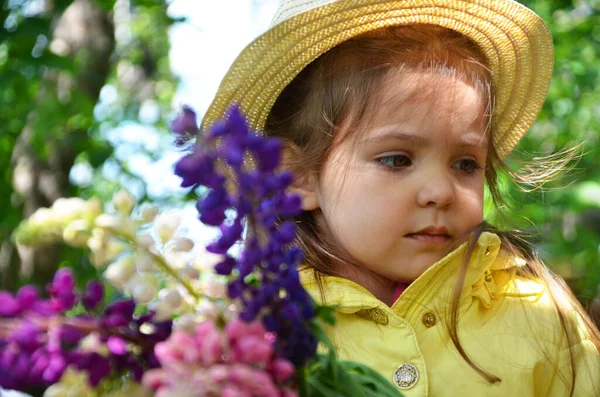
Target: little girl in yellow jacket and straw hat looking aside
{"type": "Point", "coordinates": [395, 114]}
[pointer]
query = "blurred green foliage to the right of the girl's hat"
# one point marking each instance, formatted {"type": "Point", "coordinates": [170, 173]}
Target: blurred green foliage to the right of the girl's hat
{"type": "Point", "coordinates": [565, 214]}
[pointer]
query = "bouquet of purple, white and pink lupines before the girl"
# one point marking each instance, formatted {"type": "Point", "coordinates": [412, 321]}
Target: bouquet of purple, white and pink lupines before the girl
{"type": "Point", "coordinates": [170, 319]}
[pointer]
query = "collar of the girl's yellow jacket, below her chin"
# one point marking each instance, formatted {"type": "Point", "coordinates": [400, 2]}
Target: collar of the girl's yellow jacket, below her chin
{"type": "Point", "coordinates": [487, 278]}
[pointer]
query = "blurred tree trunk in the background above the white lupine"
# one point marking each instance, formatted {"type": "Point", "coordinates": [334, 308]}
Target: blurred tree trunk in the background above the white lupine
{"type": "Point", "coordinates": [84, 33]}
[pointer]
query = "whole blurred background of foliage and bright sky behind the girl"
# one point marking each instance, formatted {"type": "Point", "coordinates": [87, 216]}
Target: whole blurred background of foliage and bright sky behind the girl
{"type": "Point", "coordinates": [89, 87]}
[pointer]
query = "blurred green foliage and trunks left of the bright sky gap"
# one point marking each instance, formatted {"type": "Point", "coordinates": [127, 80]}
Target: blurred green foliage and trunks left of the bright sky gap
{"type": "Point", "coordinates": [58, 59]}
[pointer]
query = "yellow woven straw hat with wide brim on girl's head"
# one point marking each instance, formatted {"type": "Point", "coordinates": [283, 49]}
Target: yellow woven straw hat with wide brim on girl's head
{"type": "Point", "coordinates": [516, 42]}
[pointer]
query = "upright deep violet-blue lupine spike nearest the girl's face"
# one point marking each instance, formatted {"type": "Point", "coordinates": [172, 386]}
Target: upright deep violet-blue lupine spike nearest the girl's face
{"type": "Point", "coordinates": [279, 300]}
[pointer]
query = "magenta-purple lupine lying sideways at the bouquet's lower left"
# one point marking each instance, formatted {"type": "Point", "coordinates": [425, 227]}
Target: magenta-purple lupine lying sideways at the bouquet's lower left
{"type": "Point", "coordinates": [38, 343]}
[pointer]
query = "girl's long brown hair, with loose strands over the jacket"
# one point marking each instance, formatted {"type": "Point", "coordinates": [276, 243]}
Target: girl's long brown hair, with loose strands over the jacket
{"type": "Point", "coordinates": [320, 106]}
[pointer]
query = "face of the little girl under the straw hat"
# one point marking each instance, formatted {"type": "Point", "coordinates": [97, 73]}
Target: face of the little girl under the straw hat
{"type": "Point", "coordinates": [407, 190]}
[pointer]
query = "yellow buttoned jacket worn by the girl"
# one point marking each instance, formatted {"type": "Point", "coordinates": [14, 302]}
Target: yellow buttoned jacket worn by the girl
{"type": "Point", "coordinates": [507, 325]}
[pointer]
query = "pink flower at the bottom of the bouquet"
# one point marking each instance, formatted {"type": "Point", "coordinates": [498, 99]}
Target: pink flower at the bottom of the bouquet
{"type": "Point", "coordinates": [238, 361]}
